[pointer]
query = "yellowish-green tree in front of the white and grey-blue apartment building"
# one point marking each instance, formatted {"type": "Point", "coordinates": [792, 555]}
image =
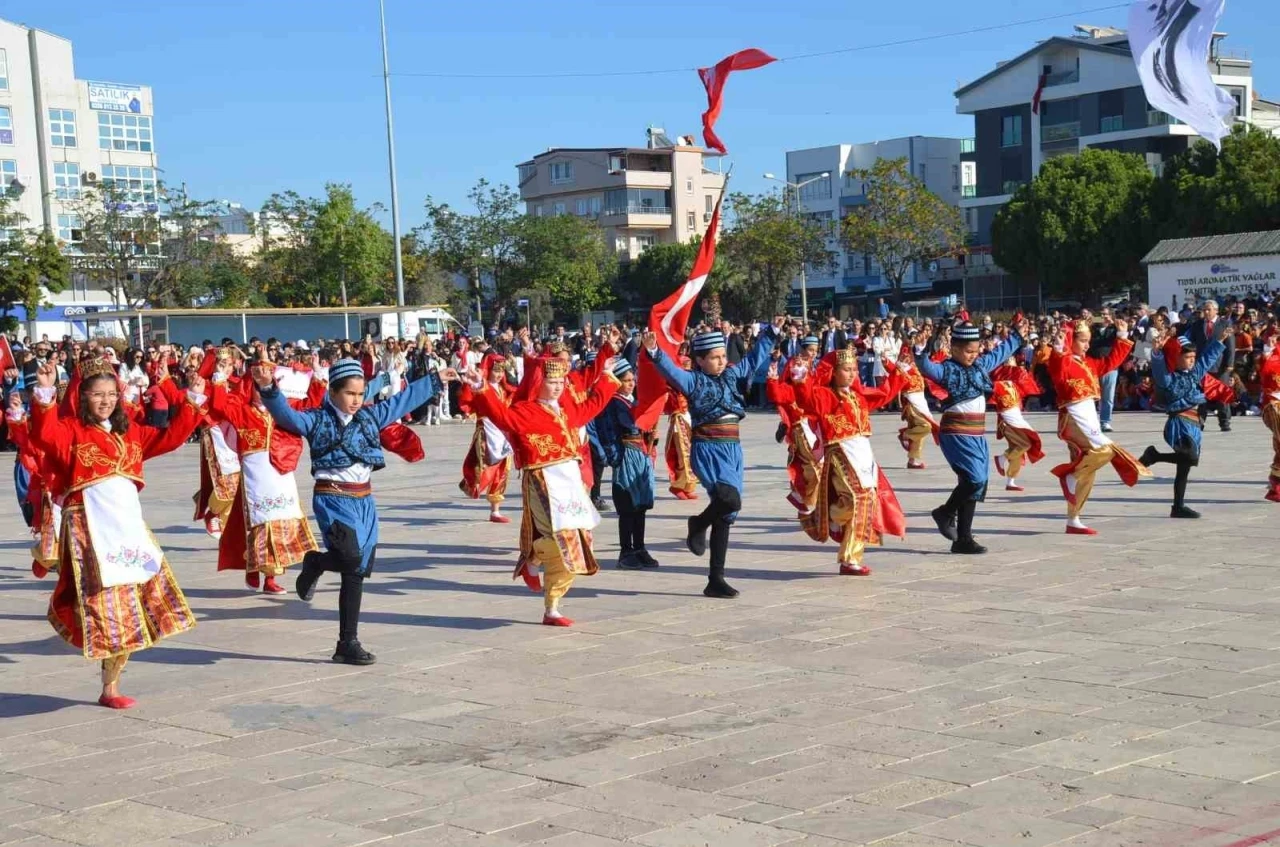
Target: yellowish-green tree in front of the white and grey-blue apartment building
{"type": "Point", "coordinates": [903, 223]}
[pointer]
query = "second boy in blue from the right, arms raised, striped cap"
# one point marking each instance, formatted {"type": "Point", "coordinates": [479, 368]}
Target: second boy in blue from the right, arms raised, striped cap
{"type": "Point", "coordinates": [964, 432]}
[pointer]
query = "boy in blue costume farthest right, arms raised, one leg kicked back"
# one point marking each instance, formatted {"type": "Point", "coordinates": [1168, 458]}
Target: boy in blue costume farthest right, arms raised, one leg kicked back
{"type": "Point", "coordinates": [1182, 393]}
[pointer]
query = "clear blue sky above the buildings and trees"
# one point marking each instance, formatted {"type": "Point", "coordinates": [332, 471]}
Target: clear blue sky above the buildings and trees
{"type": "Point", "coordinates": [257, 97]}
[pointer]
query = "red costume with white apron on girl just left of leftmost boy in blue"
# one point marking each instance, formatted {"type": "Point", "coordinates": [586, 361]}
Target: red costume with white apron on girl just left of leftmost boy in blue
{"type": "Point", "coordinates": [266, 530]}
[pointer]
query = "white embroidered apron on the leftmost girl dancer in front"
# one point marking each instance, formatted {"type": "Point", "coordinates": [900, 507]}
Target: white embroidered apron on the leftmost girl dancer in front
{"type": "Point", "coordinates": [122, 543]}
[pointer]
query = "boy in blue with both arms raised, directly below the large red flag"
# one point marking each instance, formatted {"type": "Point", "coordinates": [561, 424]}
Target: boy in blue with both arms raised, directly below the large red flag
{"type": "Point", "coordinates": [716, 408]}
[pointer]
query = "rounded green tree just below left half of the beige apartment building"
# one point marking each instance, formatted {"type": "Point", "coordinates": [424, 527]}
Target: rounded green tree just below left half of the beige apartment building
{"type": "Point", "coordinates": [568, 258]}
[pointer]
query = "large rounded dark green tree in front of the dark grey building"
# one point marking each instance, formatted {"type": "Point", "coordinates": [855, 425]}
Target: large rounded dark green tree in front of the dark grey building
{"type": "Point", "coordinates": [1081, 227]}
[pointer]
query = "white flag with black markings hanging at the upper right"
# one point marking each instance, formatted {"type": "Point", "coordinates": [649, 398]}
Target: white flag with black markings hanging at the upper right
{"type": "Point", "coordinates": [1171, 43]}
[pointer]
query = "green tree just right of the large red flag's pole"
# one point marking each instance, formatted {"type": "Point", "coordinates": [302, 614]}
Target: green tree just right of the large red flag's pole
{"type": "Point", "coordinates": [765, 245]}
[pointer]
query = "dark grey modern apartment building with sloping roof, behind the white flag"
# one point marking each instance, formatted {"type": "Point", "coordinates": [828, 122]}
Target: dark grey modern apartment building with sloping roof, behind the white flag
{"type": "Point", "coordinates": [1090, 97]}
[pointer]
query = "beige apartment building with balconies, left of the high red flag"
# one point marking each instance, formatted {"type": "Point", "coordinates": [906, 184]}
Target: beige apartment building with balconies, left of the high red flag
{"type": "Point", "coordinates": [642, 196]}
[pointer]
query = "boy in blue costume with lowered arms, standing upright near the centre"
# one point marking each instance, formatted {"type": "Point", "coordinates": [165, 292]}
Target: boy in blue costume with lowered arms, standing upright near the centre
{"type": "Point", "coordinates": [629, 451]}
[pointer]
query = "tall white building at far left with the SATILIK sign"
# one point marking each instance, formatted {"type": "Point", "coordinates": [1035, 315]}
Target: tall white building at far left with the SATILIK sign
{"type": "Point", "coordinates": [60, 135]}
